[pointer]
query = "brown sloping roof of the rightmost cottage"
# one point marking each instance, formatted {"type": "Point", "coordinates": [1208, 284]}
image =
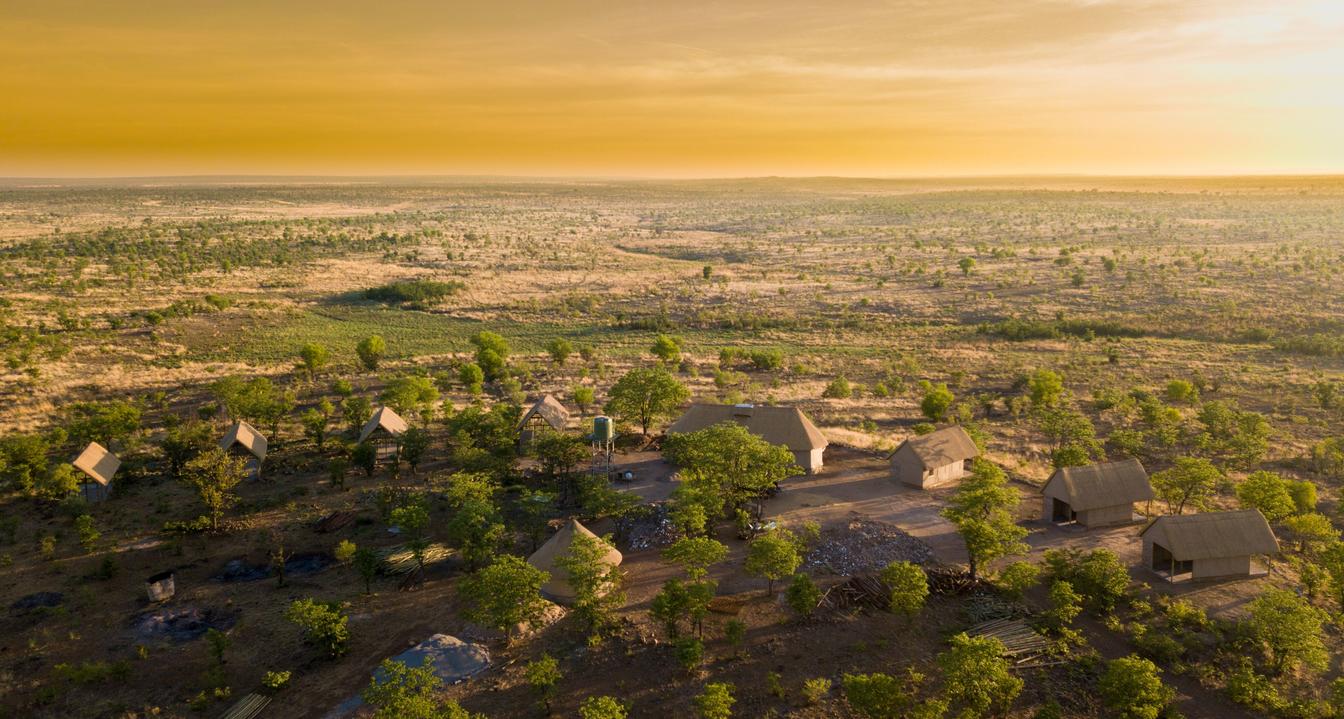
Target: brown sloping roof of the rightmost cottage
{"type": "Point", "coordinates": [1216, 536]}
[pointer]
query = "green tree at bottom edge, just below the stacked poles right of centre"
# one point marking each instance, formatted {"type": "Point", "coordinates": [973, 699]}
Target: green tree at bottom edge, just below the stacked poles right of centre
{"type": "Point", "coordinates": [978, 677]}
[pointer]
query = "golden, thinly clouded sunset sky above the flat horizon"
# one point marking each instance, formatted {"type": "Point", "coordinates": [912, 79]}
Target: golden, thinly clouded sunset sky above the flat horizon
{"type": "Point", "coordinates": [689, 88]}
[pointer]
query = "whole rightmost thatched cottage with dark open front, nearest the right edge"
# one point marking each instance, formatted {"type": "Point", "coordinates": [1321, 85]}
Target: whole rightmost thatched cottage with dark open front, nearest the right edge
{"type": "Point", "coordinates": [1208, 546]}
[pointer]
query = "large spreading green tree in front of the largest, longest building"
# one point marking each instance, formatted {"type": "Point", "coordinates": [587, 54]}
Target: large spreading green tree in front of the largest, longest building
{"type": "Point", "coordinates": [725, 466]}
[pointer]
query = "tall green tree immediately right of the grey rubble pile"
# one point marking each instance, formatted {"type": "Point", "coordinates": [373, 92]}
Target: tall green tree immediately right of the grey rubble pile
{"type": "Point", "coordinates": [982, 509]}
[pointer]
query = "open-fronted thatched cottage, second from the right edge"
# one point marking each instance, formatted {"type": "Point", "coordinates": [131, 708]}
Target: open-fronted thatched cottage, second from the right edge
{"type": "Point", "coordinates": [1096, 495]}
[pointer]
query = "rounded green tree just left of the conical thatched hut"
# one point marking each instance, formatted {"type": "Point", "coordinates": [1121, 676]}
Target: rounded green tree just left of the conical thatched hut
{"type": "Point", "coordinates": [506, 593]}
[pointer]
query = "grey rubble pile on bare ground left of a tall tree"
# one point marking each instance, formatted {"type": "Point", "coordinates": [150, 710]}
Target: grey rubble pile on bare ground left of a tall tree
{"type": "Point", "coordinates": [866, 546]}
